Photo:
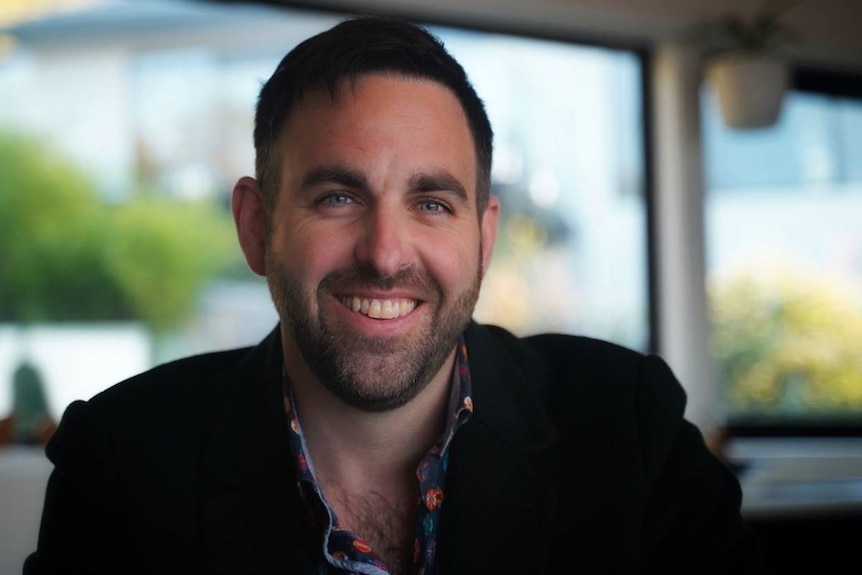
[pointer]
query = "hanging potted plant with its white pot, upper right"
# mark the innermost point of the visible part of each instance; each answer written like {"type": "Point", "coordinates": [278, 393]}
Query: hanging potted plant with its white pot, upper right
{"type": "Point", "coordinates": [746, 68]}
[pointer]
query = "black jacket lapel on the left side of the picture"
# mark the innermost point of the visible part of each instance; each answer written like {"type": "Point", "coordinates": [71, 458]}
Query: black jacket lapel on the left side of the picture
{"type": "Point", "coordinates": [250, 510]}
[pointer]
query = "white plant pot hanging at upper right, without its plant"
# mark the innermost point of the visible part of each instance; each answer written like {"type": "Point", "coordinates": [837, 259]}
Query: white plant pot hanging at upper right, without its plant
{"type": "Point", "coordinates": [750, 88]}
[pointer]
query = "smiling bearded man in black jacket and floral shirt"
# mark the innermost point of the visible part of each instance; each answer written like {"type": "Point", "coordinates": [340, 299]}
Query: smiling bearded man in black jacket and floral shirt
{"type": "Point", "coordinates": [378, 429]}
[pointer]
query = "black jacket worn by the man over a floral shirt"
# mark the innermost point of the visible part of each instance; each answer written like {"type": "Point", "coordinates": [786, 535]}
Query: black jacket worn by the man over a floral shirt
{"type": "Point", "coordinates": [577, 460]}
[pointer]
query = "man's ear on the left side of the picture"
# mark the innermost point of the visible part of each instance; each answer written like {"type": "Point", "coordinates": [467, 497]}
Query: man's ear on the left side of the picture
{"type": "Point", "coordinates": [249, 215]}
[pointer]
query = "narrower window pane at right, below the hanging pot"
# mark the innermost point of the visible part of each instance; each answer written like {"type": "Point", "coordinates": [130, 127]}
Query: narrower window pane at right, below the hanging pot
{"type": "Point", "coordinates": [784, 244]}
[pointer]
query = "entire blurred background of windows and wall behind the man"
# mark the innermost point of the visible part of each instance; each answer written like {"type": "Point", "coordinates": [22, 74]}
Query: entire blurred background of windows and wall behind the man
{"type": "Point", "coordinates": [649, 198]}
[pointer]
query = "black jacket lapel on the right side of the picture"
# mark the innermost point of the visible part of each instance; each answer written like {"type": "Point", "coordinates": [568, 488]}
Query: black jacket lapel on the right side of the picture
{"type": "Point", "coordinates": [501, 490]}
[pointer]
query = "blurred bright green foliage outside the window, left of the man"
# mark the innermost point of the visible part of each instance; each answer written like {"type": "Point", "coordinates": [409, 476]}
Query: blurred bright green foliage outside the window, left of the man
{"type": "Point", "coordinates": [67, 256]}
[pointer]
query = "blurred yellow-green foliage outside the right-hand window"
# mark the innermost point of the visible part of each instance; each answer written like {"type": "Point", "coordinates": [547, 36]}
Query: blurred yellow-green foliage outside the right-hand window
{"type": "Point", "coordinates": [787, 341]}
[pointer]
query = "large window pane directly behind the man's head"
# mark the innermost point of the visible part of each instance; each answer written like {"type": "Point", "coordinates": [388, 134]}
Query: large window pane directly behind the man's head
{"type": "Point", "coordinates": [131, 122]}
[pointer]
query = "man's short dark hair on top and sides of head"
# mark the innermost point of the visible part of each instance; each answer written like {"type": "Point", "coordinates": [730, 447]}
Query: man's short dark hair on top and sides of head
{"type": "Point", "coordinates": [353, 48]}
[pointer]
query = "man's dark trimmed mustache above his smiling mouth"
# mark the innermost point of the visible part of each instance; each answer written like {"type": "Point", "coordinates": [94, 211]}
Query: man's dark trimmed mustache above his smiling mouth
{"type": "Point", "coordinates": [364, 276]}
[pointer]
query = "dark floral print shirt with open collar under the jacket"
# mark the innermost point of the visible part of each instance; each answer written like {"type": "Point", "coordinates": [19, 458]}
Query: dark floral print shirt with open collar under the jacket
{"type": "Point", "coordinates": [345, 552]}
